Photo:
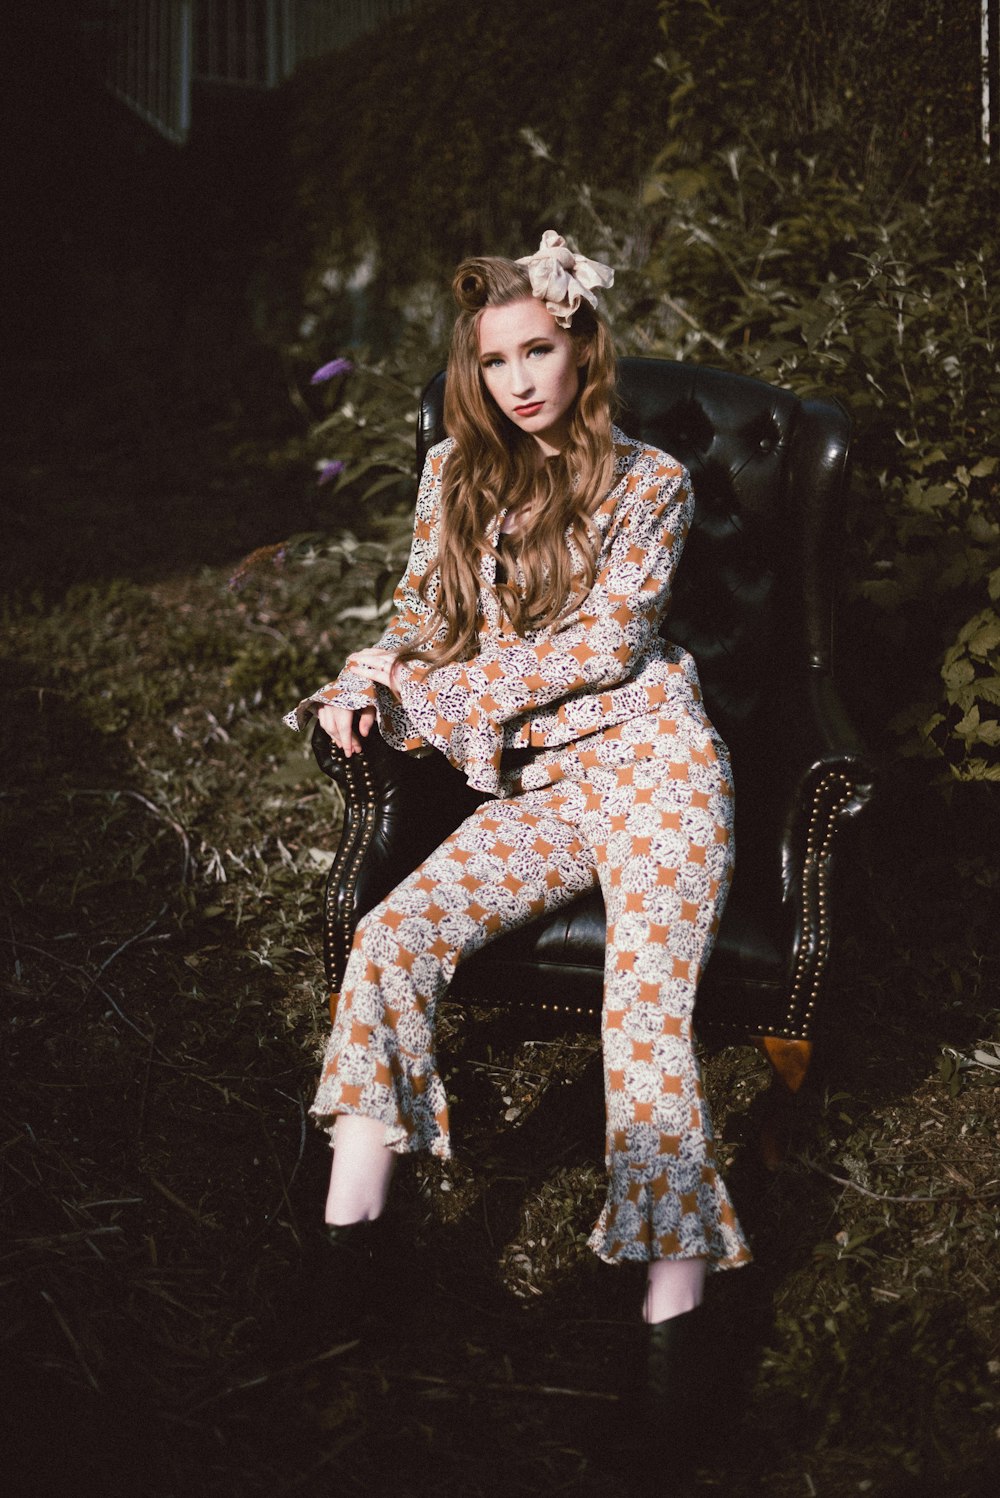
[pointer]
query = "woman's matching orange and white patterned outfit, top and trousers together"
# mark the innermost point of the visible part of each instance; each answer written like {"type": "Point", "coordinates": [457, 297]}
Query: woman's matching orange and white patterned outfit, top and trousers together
{"type": "Point", "coordinates": [629, 787]}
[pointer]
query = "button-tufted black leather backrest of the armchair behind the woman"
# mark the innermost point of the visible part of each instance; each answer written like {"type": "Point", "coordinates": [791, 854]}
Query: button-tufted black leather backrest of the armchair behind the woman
{"type": "Point", "coordinates": [752, 598]}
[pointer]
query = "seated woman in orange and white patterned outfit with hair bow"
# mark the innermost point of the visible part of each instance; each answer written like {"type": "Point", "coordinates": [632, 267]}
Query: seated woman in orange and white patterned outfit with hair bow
{"type": "Point", "coordinates": [526, 648]}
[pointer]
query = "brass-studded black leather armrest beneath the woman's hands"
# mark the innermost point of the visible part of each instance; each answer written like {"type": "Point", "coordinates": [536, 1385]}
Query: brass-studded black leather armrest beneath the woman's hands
{"type": "Point", "coordinates": [397, 810]}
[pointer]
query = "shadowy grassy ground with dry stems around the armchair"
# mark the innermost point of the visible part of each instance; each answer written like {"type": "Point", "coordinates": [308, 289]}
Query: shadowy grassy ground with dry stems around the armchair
{"type": "Point", "coordinates": [164, 847]}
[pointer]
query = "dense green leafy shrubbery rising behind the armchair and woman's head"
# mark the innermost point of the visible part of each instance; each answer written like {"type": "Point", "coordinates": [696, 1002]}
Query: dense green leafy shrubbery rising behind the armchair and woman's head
{"type": "Point", "coordinates": [805, 203]}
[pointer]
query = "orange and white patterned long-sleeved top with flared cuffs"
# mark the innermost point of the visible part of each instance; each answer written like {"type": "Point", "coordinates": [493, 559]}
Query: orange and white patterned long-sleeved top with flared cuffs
{"type": "Point", "coordinates": [603, 664]}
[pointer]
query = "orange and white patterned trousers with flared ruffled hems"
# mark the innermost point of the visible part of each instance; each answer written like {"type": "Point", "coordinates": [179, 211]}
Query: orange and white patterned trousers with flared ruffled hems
{"type": "Point", "coordinates": [646, 811]}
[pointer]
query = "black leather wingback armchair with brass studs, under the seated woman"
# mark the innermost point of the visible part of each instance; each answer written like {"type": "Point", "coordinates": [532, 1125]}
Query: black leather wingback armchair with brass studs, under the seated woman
{"type": "Point", "coordinates": [754, 604]}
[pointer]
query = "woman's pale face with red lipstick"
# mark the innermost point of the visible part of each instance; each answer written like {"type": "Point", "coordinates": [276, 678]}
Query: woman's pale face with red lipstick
{"type": "Point", "coordinates": [531, 366]}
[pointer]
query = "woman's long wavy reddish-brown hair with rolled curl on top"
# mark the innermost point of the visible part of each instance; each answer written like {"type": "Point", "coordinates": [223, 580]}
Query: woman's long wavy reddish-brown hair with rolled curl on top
{"type": "Point", "coordinates": [496, 465]}
